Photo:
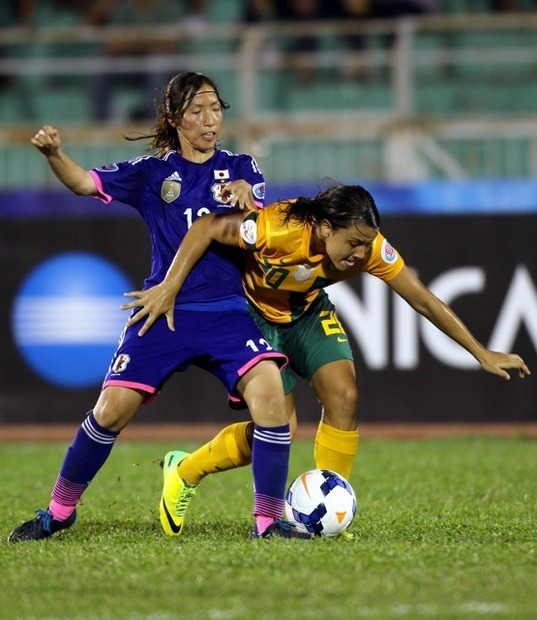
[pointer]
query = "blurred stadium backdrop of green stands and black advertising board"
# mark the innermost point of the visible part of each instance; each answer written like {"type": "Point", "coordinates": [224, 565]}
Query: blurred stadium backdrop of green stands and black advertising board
{"type": "Point", "coordinates": [436, 114]}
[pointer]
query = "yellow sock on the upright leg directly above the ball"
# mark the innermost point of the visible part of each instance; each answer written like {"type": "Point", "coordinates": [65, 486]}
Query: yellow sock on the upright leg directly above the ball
{"type": "Point", "coordinates": [335, 449]}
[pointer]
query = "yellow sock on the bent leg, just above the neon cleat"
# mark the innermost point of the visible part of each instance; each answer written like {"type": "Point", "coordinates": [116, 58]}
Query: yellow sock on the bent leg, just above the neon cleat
{"type": "Point", "coordinates": [228, 450]}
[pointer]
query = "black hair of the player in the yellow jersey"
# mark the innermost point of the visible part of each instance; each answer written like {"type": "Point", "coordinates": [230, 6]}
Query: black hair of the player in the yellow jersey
{"type": "Point", "coordinates": [341, 205]}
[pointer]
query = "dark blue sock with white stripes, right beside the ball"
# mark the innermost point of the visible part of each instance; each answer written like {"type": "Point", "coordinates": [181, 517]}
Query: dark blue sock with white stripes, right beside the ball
{"type": "Point", "coordinates": [270, 465]}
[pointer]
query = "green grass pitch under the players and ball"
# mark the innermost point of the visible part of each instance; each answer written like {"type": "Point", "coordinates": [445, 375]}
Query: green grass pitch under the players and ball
{"type": "Point", "coordinates": [445, 529]}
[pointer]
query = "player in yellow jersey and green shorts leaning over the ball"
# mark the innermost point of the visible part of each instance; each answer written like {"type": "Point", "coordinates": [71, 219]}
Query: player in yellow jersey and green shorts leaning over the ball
{"type": "Point", "coordinates": [292, 250]}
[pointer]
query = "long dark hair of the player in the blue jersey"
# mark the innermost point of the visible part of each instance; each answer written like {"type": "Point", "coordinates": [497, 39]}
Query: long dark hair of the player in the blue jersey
{"type": "Point", "coordinates": [174, 101]}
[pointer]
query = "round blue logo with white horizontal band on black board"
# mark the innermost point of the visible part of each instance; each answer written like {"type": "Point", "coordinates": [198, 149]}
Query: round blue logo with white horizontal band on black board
{"type": "Point", "coordinates": [66, 319]}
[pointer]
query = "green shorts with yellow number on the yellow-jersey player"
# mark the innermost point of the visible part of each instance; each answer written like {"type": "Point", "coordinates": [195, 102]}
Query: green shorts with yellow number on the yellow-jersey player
{"type": "Point", "coordinates": [315, 339]}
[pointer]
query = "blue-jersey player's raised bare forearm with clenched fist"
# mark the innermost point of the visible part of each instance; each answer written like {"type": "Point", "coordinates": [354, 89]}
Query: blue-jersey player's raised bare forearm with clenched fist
{"type": "Point", "coordinates": [47, 141]}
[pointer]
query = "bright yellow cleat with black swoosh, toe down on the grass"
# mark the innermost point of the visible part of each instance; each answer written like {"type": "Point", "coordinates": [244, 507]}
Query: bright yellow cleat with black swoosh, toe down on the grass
{"type": "Point", "coordinates": [176, 495]}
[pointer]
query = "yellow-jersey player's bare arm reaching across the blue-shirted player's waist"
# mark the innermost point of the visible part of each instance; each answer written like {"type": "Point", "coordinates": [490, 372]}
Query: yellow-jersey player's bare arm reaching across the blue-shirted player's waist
{"type": "Point", "coordinates": [160, 299]}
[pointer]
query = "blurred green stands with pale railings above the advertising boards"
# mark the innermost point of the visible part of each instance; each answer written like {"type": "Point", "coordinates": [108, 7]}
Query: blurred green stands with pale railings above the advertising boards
{"type": "Point", "coordinates": [436, 97]}
